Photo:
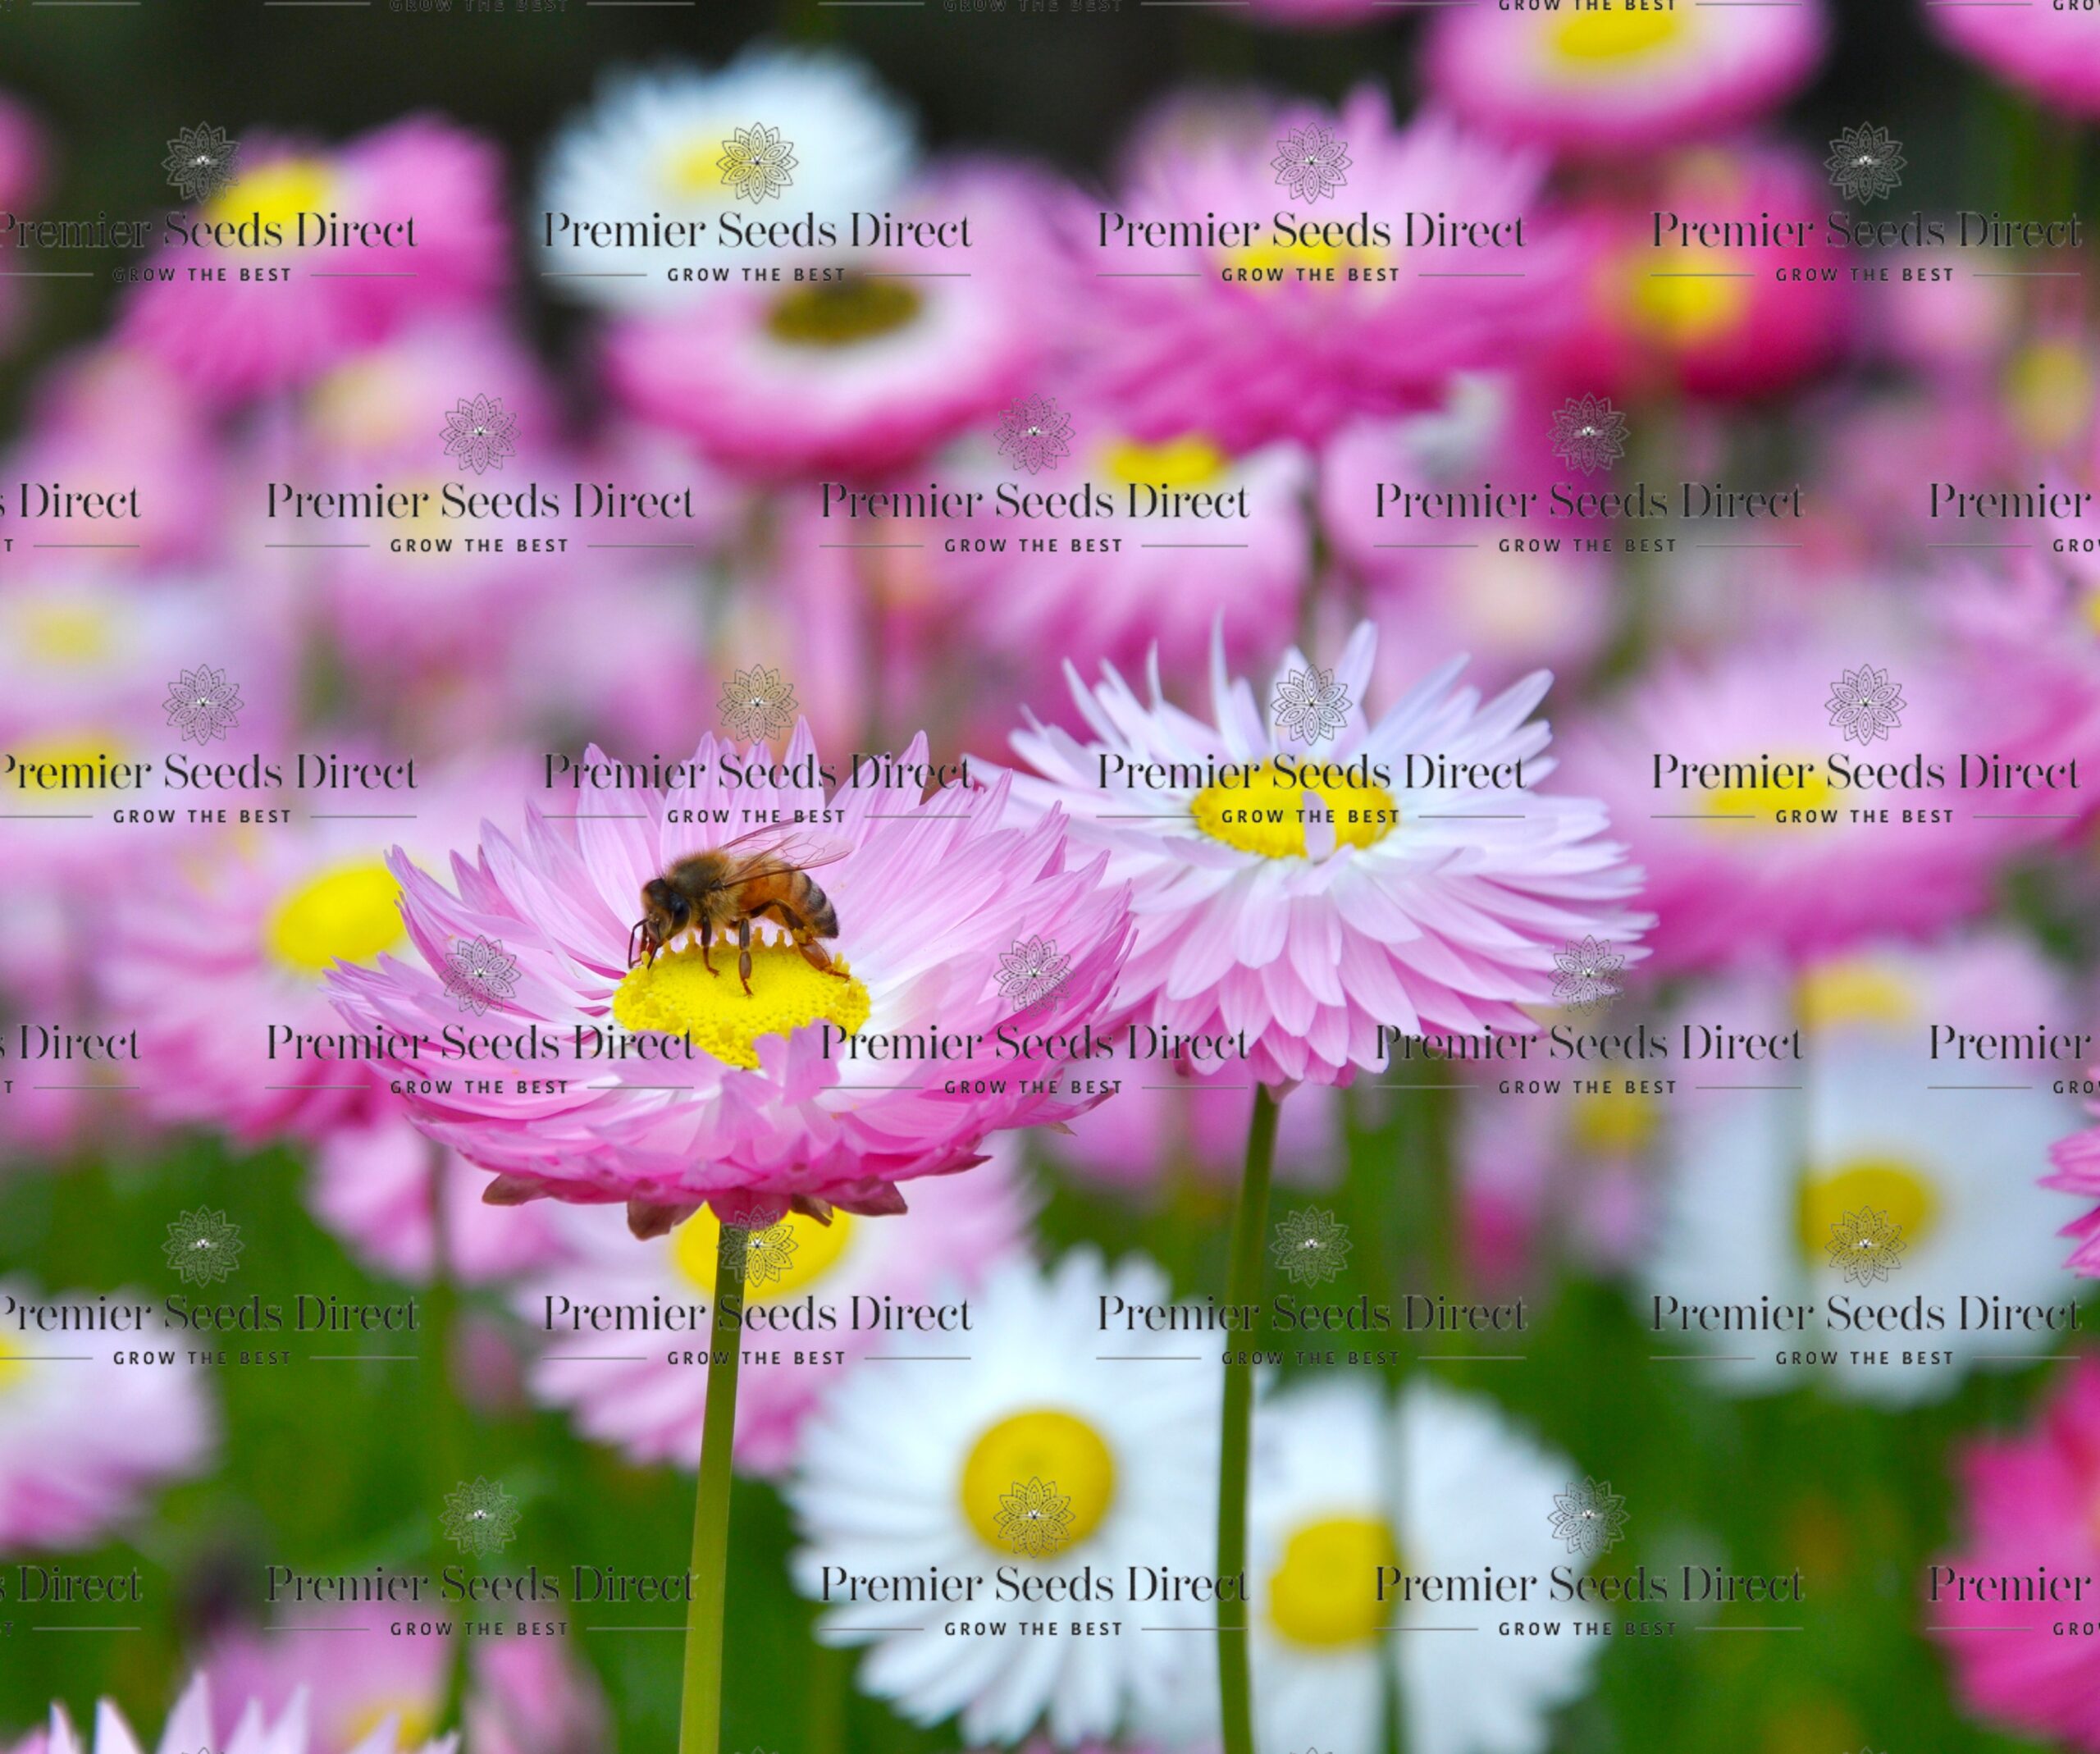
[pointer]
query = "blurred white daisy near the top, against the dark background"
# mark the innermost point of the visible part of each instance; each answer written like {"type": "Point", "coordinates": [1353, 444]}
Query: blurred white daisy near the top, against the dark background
{"type": "Point", "coordinates": [650, 152]}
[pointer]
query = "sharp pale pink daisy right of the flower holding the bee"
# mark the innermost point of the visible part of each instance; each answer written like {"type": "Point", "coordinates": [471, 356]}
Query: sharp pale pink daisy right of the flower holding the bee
{"type": "Point", "coordinates": [1316, 913]}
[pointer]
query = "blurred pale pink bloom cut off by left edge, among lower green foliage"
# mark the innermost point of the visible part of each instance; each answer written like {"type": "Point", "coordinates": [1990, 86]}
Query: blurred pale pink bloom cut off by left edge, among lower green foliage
{"type": "Point", "coordinates": [85, 1442]}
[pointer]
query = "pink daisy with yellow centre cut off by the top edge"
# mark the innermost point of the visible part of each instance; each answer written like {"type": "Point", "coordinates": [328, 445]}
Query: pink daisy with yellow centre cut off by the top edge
{"type": "Point", "coordinates": [1601, 85]}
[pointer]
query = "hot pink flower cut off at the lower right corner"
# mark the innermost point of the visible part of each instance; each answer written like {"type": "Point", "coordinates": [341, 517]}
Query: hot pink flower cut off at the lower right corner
{"type": "Point", "coordinates": [2030, 1505]}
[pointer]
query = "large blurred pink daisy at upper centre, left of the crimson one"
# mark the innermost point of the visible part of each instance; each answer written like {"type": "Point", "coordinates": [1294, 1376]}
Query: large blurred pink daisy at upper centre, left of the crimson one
{"type": "Point", "coordinates": [1295, 358]}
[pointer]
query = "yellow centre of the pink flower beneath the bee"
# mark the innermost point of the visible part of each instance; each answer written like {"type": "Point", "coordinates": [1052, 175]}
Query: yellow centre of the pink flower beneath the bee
{"type": "Point", "coordinates": [679, 997]}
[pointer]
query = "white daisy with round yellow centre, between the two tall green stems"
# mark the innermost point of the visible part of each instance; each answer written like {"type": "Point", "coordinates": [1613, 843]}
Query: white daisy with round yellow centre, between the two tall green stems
{"type": "Point", "coordinates": [959, 1467]}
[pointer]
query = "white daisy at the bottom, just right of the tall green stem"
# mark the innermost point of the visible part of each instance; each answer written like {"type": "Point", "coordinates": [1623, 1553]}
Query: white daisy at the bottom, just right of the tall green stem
{"type": "Point", "coordinates": [1444, 1484]}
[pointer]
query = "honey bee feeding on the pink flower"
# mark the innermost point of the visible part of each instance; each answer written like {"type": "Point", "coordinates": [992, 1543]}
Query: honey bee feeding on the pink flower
{"type": "Point", "coordinates": [728, 888]}
